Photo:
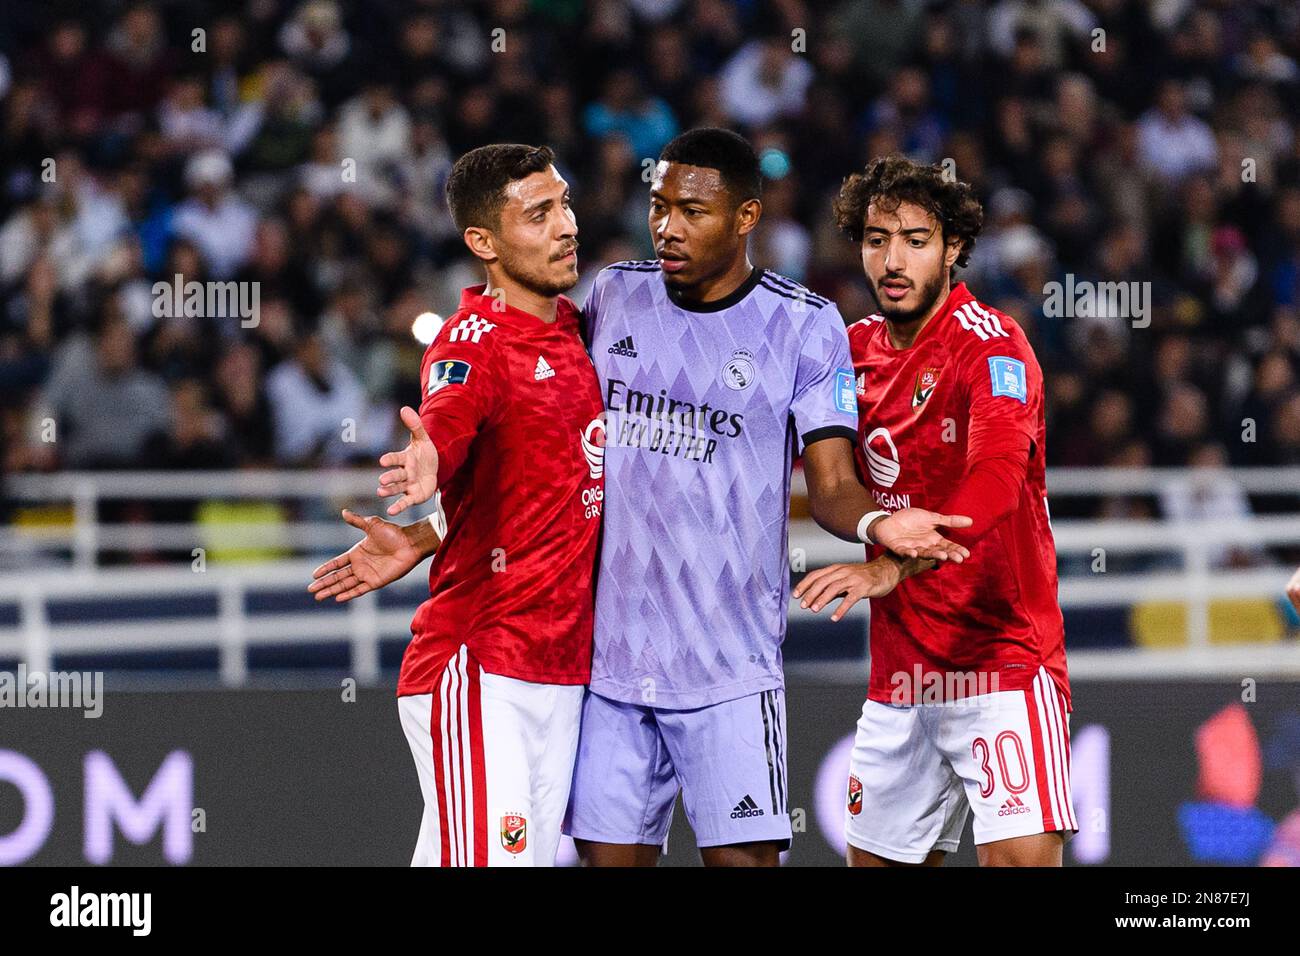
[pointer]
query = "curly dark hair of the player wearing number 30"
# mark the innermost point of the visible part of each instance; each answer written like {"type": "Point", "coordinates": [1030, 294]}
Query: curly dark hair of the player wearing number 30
{"type": "Point", "coordinates": [891, 181]}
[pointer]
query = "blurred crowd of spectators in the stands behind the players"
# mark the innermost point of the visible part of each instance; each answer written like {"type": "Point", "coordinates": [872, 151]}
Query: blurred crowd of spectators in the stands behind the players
{"type": "Point", "coordinates": [304, 146]}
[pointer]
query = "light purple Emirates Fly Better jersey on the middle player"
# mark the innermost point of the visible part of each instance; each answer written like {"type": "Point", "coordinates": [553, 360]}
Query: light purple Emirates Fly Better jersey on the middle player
{"type": "Point", "coordinates": [704, 410]}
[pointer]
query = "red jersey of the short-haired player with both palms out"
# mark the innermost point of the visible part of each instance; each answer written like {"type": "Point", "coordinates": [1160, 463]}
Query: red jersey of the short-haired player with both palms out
{"type": "Point", "coordinates": [514, 408]}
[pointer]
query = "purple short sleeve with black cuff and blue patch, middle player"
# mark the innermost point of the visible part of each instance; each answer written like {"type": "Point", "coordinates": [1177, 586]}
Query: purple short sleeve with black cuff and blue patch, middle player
{"type": "Point", "coordinates": [826, 401]}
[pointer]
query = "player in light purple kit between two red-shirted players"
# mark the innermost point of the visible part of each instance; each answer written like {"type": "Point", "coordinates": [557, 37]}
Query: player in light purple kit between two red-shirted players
{"type": "Point", "coordinates": [714, 375]}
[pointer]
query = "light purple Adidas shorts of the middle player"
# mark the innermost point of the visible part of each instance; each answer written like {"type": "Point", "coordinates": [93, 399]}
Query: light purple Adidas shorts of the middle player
{"type": "Point", "coordinates": [727, 760]}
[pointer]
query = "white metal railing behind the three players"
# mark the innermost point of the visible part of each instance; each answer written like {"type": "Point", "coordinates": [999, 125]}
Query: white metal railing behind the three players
{"type": "Point", "coordinates": [363, 624]}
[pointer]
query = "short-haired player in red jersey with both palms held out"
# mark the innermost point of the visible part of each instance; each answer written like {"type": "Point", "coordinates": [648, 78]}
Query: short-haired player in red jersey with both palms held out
{"type": "Point", "coordinates": [510, 435]}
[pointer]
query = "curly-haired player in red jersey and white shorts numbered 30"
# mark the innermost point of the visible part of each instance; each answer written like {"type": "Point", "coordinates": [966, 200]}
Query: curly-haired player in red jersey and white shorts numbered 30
{"type": "Point", "coordinates": [969, 700]}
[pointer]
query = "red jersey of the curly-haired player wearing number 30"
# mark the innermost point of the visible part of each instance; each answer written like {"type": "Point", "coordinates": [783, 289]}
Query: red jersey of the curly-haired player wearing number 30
{"type": "Point", "coordinates": [956, 425]}
